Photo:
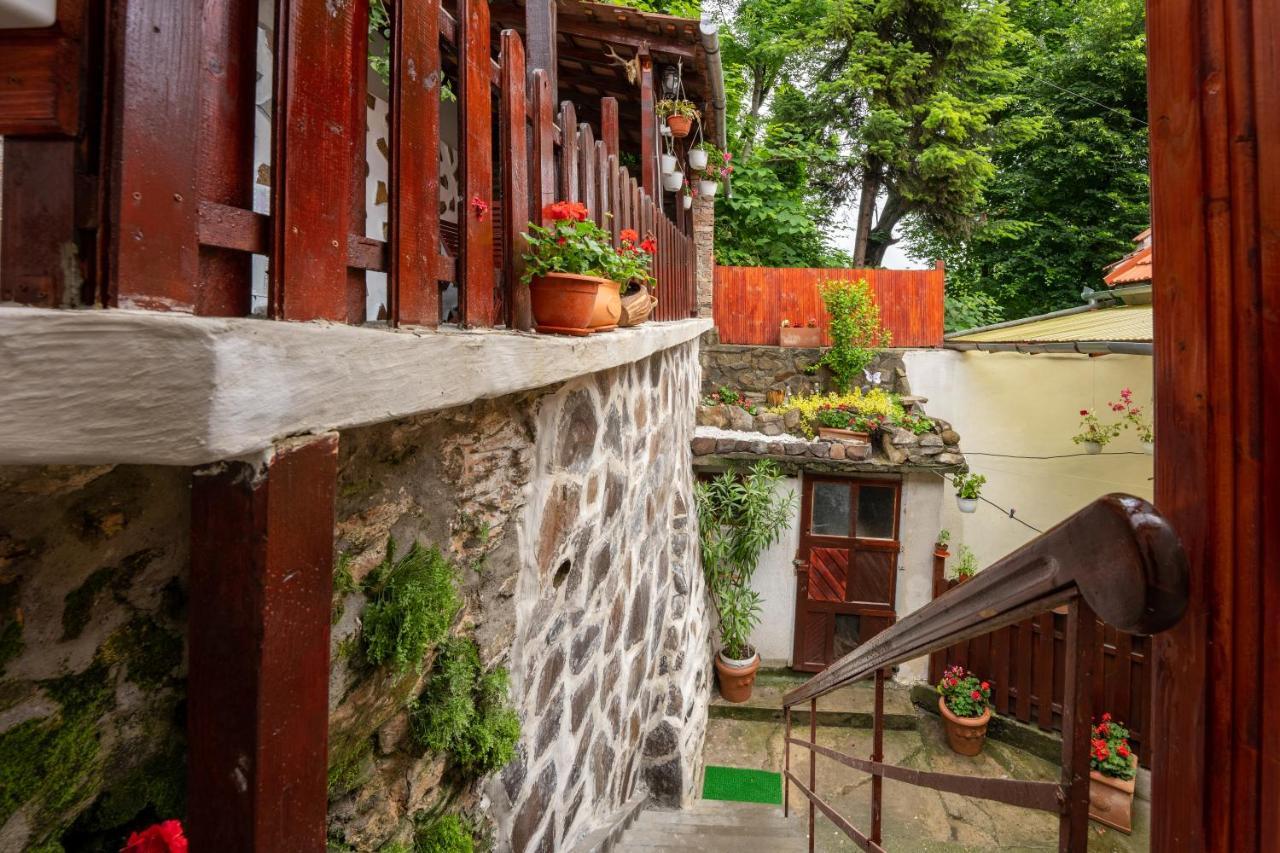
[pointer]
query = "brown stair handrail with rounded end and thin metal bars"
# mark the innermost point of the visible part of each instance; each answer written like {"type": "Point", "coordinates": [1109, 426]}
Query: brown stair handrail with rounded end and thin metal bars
{"type": "Point", "coordinates": [1117, 560]}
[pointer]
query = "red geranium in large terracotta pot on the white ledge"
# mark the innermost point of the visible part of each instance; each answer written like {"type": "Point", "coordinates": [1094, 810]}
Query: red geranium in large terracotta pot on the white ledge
{"type": "Point", "coordinates": [575, 275]}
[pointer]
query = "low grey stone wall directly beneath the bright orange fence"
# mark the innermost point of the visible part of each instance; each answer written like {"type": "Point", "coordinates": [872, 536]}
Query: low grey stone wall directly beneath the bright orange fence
{"type": "Point", "coordinates": [756, 370]}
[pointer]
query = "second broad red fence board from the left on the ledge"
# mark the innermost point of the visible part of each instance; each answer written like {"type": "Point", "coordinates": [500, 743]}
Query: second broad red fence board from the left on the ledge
{"type": "Point", "coordinates": [313, 165]}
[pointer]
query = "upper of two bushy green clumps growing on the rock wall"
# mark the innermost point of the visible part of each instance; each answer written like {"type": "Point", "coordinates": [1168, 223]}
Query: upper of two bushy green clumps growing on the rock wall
{"type": "Point", "coordinates": [413, 608]}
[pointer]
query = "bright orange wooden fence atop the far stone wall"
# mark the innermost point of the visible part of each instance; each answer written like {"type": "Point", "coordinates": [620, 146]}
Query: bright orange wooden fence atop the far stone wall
{"type": "Point", "coordinates": [752, 302]}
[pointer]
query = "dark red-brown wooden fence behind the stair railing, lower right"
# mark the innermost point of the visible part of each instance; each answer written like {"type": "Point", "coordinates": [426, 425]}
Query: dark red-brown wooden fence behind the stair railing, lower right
{"type": "Point", "coordinates": [1027, 665]}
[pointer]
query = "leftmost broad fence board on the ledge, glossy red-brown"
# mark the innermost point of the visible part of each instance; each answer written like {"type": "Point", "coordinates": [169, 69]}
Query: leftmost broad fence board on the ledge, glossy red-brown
{"type": "Point", "coordinates": [154, 207]}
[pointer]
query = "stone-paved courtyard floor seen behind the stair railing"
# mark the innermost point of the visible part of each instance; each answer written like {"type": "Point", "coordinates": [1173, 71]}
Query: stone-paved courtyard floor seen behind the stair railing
{"type": "Point", "coordinates": [915, 819]}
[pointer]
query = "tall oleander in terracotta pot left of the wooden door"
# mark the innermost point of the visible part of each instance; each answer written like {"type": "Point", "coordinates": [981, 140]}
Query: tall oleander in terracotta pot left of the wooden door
{"type": "Point", "coordinates": [740, 514]}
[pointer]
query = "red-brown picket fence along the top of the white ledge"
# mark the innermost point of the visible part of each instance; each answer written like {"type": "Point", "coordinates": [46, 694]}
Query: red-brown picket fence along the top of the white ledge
{"type": "Point", "coordinates": [175, 172]}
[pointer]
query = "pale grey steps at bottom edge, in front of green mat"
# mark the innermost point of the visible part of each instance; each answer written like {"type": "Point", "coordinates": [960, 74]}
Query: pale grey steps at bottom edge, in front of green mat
{"type": "Point", "coordinates": [716, 827]}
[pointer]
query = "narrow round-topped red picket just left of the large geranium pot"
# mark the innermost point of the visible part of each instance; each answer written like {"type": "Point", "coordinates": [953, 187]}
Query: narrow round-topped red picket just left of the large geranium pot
{"type": "Point", "coordinates": [515, 179]}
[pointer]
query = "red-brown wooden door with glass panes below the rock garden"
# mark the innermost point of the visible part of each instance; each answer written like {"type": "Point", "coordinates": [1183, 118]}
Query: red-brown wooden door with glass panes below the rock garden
{"type": "Point", "coordinates": [847, 569]}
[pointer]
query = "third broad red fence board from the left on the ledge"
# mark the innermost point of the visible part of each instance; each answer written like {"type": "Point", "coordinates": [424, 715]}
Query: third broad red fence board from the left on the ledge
{"type": "Point", "coordinates": [415, 180]}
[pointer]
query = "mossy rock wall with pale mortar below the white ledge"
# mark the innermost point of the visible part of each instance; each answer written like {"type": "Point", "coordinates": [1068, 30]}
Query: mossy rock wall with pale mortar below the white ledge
{"type": "Point", "coordinates": [520, 631]}
